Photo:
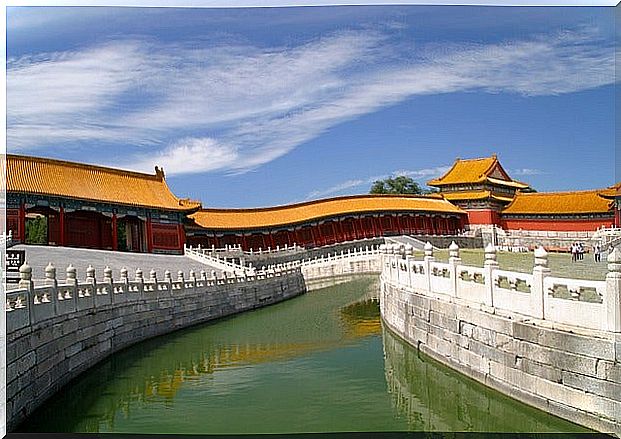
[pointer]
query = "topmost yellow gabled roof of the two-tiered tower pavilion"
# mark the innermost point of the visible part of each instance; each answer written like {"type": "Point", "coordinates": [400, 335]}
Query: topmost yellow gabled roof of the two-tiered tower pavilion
{"type": "Point", "coordinates": [475, 171]}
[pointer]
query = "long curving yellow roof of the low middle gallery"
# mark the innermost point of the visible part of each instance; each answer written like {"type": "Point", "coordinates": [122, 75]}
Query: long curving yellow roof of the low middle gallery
{"type": "Point", "coordinates": [235, 219]}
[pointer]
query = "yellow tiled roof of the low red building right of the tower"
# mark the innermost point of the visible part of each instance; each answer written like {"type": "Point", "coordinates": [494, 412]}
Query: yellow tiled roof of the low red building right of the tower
{"type": "Point", "coordinates": [558, 203]}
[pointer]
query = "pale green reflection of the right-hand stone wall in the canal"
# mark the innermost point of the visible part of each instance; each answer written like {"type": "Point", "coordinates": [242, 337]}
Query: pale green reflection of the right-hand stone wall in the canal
{"type": "Point", "coordinates": [433, 397]}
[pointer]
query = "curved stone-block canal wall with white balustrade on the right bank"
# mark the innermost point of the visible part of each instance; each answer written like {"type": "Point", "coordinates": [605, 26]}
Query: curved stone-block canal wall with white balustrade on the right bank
{"type": "Point", "coordinates": [511, 335]}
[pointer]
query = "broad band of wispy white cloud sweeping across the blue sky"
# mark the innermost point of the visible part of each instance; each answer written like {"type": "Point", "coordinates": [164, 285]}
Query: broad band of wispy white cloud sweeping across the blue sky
{"type": "Point", "coordinates": [197, 107]}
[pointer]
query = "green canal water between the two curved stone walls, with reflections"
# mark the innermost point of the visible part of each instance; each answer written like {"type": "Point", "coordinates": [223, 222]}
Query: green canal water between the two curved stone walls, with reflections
{"type": "Point", "coordinates": [320, 362]}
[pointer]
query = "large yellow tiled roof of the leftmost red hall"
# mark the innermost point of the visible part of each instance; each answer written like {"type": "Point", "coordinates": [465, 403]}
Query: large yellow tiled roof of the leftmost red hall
{"type": "Point", "coordinates": [88, 182]}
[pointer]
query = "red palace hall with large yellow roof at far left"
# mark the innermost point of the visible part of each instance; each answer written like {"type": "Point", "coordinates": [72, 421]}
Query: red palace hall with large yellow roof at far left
{"type": "Point", "coordinates": [93, 206]}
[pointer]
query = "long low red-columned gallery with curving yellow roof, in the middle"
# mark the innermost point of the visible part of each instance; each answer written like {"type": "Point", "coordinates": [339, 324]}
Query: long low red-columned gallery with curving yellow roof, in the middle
{"type": "Point", "coordinates": [324, 222]}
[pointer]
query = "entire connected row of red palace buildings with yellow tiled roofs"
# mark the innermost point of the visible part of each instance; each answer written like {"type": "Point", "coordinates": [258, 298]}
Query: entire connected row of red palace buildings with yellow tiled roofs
{"type": "Point", "coordinates": [57, 202]}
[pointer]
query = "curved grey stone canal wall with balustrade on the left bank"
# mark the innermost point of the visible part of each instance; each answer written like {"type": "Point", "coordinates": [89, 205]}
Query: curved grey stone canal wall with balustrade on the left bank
{"type": "Point", "coordinates": [58, 331]}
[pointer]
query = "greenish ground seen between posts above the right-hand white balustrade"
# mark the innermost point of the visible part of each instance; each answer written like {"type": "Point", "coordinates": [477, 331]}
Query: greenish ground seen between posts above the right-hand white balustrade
{"type": "Point", "coordinates": [559, 263]}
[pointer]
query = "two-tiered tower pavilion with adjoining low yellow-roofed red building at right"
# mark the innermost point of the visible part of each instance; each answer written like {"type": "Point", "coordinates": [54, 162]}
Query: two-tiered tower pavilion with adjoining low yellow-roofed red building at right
{"type": "Point", "coordinates": [491, 197]}
